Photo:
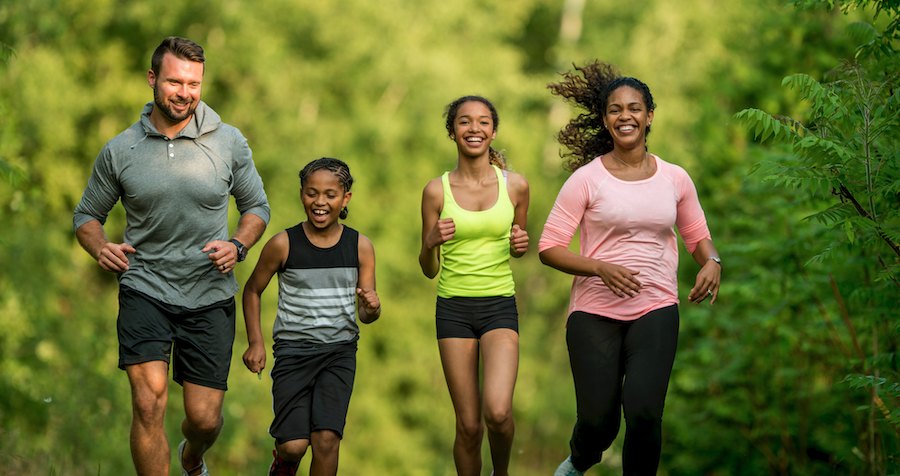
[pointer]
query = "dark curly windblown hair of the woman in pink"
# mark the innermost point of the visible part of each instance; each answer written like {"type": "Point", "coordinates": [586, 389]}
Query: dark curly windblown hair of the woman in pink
{"type": "Point", "coordinates": [585, 136]}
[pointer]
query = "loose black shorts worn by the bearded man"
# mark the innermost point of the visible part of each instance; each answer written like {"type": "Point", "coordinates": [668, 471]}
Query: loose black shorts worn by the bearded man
{"type": "Point", "coordinates": [203, 337]}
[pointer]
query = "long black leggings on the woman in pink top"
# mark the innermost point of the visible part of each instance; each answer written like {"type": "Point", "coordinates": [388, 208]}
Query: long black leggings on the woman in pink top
{"type": "Point", "coordinates": [604, 352]}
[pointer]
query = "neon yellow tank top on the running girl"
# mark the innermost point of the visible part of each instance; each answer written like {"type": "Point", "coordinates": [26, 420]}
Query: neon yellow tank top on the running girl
{"type": "Point", "coordinates": [475, 263]}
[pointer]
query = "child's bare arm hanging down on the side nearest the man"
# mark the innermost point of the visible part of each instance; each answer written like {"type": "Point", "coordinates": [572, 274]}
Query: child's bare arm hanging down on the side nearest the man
{"type": "Point", "coordinates": [270, 261]}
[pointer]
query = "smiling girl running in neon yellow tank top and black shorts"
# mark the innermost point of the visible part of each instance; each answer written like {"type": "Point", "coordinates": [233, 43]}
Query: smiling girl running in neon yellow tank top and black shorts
{"type": "Point", "coordinates": [473, 220]}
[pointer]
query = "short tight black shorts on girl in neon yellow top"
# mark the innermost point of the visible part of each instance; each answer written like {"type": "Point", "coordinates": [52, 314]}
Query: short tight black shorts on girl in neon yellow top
{"type": "Point", "coordinates": [472, 317]}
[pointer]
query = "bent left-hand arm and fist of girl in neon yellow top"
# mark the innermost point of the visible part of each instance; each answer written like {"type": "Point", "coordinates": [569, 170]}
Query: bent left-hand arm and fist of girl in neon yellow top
{"type": "Point", "coordinates": [435, 231]}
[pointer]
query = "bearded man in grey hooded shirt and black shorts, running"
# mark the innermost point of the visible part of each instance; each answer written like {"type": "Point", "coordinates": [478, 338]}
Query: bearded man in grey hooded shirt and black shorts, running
{"type": "Point", "coordinates": [173, 171]}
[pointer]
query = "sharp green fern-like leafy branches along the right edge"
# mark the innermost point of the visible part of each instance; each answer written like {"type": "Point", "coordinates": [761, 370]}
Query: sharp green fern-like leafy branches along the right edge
{"type": "Point", "coordinates": [842, 161]}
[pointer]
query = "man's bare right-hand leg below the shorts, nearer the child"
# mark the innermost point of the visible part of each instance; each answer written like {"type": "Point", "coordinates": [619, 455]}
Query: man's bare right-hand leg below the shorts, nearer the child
{"type": "Point", "coordinates": [202, 423]}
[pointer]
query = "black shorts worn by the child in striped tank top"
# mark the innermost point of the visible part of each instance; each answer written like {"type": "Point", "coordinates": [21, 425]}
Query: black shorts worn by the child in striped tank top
{"type": "Point", "coordinates": [312, 393]}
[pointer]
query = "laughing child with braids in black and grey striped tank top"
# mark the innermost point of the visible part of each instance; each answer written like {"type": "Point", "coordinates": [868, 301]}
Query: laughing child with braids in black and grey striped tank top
{"type": "Point", "coordinates": [326, 274]}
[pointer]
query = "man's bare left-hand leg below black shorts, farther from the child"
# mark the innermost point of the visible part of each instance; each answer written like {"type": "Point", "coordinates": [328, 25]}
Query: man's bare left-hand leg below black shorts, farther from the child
{"type": "Point", "coordinates": [149, 393]}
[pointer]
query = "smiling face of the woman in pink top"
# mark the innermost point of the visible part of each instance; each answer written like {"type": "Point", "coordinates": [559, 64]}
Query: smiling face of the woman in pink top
{"type": "Point", "coordinates": [627, 117]}
